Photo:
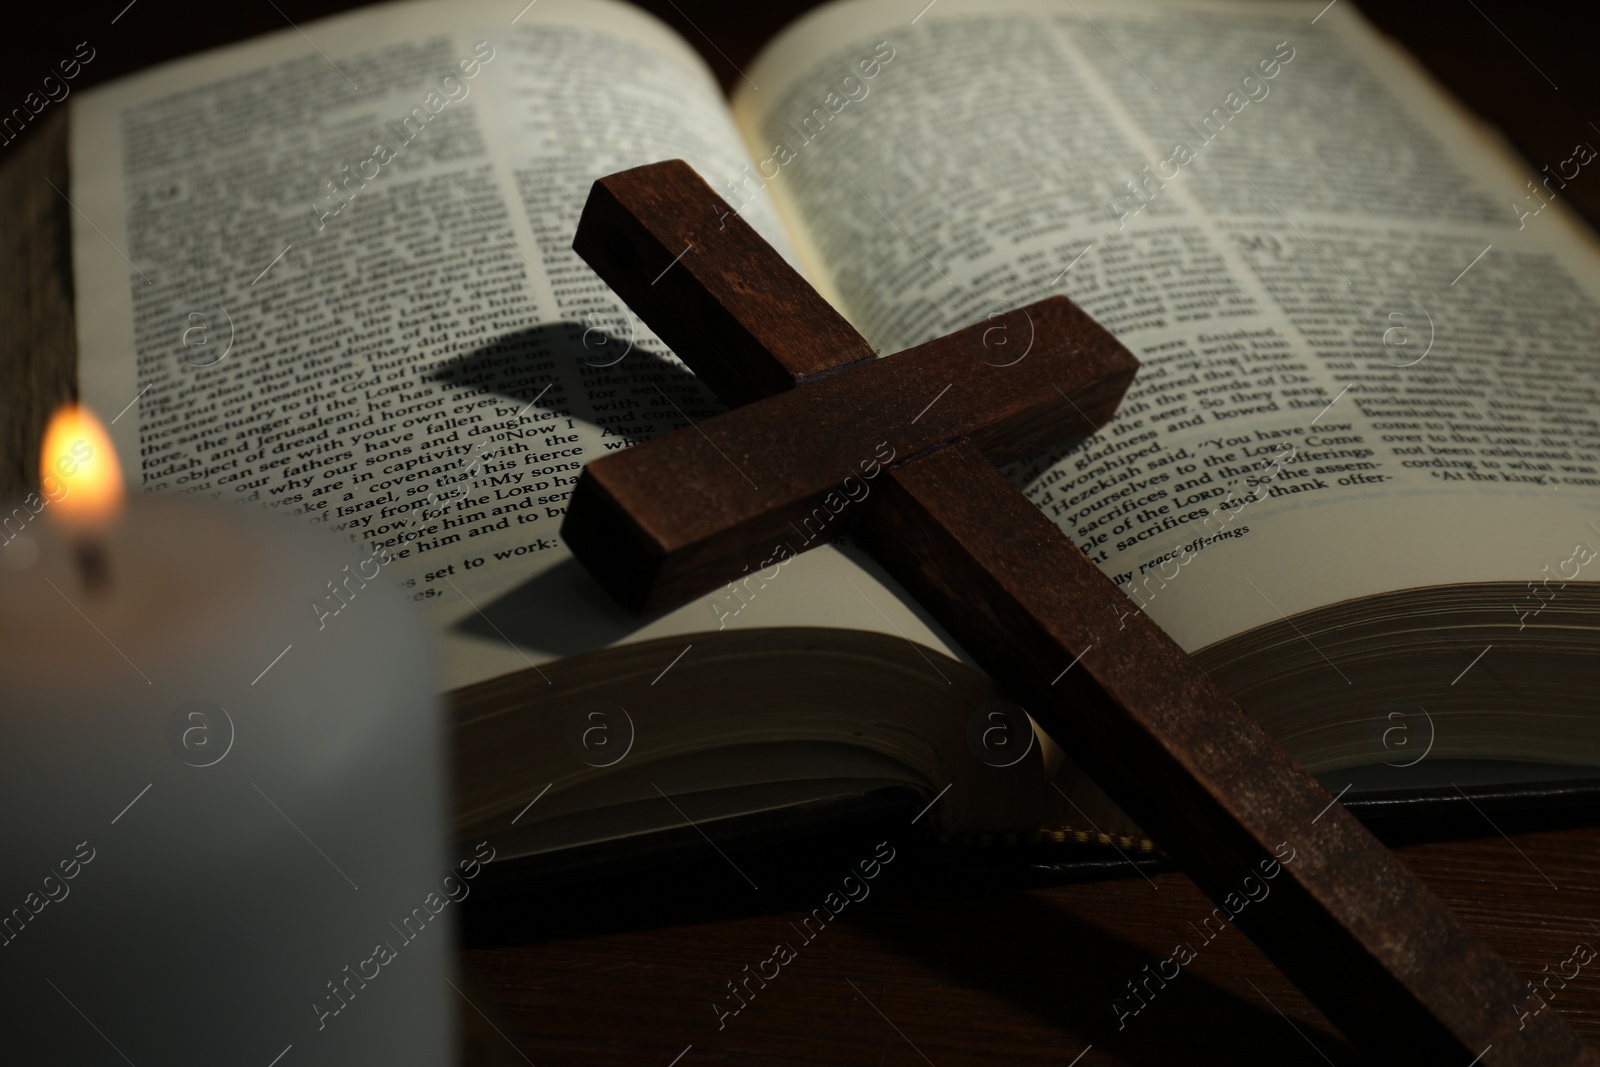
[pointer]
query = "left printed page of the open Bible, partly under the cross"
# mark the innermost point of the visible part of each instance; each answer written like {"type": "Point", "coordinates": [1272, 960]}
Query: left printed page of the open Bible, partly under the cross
{"type": "Point", "coordinates": [330, 273]}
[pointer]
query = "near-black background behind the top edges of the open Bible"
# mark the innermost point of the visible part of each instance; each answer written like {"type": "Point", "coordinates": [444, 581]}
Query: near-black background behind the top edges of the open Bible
{"type": "Point", "coordinates": [1502, 79]}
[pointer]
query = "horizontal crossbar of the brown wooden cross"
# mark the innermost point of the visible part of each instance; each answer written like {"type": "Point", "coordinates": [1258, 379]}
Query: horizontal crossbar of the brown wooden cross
{"type": "Point", "coordinates": [687, 513]}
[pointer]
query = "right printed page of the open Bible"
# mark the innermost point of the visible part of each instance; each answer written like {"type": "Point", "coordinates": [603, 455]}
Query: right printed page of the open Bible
{"type": "Point", "coordinates": [1366, 330]}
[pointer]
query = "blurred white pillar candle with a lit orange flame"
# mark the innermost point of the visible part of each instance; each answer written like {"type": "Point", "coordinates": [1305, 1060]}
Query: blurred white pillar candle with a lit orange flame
{"type": "Point", "coordinates": [222, 786]}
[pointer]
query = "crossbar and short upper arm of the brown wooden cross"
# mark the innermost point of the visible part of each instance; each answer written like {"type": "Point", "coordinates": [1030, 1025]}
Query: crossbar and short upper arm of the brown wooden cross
{"type": "Point", "coordinates": [687, 513]}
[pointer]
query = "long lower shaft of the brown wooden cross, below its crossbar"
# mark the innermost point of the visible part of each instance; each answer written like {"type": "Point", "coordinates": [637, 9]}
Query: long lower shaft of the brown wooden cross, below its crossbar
{"type": "Point", "coordinates": [1358, 932]}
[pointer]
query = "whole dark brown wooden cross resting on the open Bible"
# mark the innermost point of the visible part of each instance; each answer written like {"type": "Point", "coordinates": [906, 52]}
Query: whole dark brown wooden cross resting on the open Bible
{"type": "Point", "coordinates": [686, 513]}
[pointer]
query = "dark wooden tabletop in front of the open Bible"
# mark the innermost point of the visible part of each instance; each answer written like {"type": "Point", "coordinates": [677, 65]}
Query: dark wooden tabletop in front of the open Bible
{"type": "Point", "coordinates": [1018, 978]}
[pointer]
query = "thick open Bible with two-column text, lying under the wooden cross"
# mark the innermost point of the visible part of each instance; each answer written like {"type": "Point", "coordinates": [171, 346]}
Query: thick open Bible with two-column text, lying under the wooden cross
{"type": "Point", "coordinates": [1358, 476]}
